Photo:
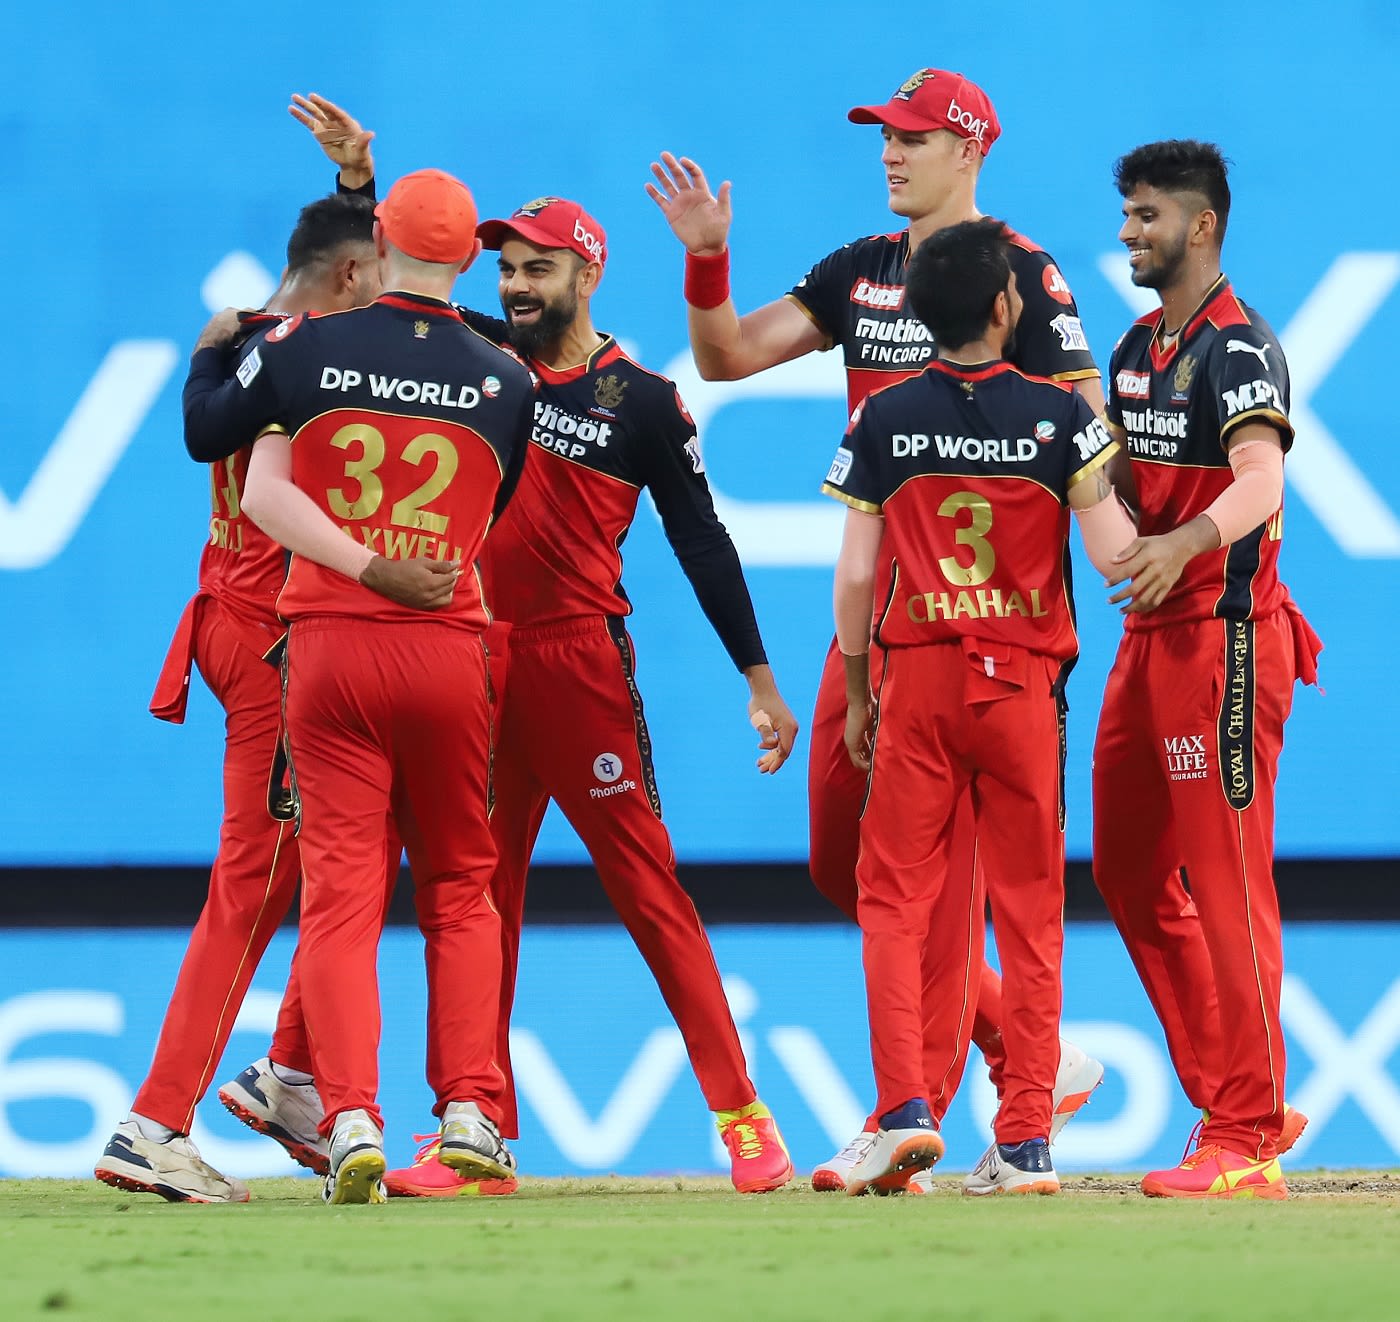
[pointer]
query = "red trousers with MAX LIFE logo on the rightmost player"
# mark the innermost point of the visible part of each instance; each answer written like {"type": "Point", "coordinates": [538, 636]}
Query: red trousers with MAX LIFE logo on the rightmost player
{"type": "Point", "coordinates": [1185, 765]}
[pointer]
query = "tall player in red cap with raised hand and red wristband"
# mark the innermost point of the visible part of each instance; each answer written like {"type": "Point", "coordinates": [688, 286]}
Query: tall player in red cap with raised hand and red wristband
{"type": "Point", "coordinates": [937, 128]}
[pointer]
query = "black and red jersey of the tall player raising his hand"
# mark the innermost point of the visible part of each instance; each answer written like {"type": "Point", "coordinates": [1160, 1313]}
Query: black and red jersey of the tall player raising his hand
{"type": "Point", "coordinates": [856, 298]}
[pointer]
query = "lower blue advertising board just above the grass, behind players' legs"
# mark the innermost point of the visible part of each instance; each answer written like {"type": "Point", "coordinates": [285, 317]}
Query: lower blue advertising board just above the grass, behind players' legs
{"type": "Point", "coordinates": [603, 1072]}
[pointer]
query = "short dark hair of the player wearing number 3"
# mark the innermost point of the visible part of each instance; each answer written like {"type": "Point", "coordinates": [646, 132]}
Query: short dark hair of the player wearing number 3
{"type": "Point", "coordinates": [955, 278]}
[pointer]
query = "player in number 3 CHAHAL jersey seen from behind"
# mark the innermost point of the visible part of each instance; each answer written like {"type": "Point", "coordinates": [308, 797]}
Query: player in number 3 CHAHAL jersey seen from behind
{"type": "Point", "coordinates": [962, 480]}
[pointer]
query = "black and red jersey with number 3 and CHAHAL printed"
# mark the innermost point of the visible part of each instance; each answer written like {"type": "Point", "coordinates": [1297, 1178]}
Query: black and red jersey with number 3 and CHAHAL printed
{"type": "Point", "coordinates": [971, 468]}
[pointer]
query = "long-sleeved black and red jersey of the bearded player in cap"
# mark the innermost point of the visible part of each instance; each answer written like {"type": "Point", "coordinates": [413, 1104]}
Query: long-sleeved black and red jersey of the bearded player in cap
{"type": "Point", "coordinates": [603, 432]}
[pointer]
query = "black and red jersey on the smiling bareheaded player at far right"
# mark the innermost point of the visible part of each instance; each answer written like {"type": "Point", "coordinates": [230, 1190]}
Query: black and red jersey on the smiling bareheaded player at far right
{"type": "Point", "coordinates": [1178, 407]}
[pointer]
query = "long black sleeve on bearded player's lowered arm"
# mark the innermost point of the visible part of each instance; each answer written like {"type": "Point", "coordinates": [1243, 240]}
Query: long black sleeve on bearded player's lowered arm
{"type": "Point", "coordinates": [674, 474]}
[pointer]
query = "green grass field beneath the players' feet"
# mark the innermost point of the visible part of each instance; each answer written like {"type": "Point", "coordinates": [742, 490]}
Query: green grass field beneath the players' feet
{"type": "Point", "coordinates": [692, 1250]}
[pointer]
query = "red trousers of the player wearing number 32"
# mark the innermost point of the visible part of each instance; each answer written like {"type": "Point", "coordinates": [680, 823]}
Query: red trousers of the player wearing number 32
{"type": "Point", "coordinates": [393, 719]}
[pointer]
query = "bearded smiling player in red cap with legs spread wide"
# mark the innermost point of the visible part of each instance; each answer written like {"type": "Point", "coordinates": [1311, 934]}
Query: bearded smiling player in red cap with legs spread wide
{"type": "Point", "coordinates": [572, 726]}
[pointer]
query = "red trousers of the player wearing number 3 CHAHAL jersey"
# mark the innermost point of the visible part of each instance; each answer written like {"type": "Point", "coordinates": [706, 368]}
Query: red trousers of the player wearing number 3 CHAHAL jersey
{"type": "Point", "coordinates": [948, 729]}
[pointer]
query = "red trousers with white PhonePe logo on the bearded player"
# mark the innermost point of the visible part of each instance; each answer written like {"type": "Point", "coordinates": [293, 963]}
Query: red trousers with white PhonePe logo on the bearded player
{"type": "Point", "coordinates": [572, 729]}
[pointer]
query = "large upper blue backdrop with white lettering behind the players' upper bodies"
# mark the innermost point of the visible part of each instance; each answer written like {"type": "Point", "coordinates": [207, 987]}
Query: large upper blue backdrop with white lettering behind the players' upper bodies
{"type": "Point", "coordinates": [153, 174]}
